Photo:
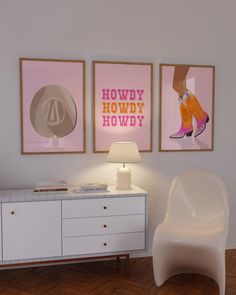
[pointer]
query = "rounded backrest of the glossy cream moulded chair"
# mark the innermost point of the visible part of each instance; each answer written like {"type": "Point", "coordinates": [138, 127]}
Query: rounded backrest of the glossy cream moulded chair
{"type": "Point", "coordinates": [198, 198]}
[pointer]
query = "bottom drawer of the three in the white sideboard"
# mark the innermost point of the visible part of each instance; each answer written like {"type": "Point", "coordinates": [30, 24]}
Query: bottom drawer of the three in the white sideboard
{"type": "Point", "coordinates": [103, 243]}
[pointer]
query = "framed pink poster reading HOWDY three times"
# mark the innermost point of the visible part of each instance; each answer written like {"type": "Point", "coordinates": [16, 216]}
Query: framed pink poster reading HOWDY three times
{"type": "Point", "coordinates": [122, 108]}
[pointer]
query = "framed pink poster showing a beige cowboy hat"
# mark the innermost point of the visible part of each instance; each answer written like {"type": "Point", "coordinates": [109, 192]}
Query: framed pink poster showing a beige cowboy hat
{"type": "Point", "coordinates": [52, 106]}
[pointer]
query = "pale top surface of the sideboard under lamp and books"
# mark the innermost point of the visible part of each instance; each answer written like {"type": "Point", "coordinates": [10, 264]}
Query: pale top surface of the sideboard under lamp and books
{"type": "Point", "coordinates": [27, 195]}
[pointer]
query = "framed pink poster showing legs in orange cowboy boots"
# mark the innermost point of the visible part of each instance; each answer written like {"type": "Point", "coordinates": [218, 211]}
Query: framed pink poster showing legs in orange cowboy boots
{"type": "Point", "coordinates": [186, 107]}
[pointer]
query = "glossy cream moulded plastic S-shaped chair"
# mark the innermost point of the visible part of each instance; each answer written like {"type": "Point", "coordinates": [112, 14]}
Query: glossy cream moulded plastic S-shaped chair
{"type": "Point", "coordinates": [192, 237]}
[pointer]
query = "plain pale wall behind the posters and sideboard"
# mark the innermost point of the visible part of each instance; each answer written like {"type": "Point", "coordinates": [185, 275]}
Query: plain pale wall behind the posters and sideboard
{"type": "Point", "coordinates": [169, 31]}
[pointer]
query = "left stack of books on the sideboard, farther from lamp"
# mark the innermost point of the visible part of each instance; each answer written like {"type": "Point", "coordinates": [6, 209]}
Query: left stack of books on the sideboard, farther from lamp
{"type": "Point", "coordinates": [51, 186]}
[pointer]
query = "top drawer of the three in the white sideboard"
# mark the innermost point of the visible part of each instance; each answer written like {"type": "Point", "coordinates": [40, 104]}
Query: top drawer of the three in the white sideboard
{"type": "Point", "coordinates": [103, 207]}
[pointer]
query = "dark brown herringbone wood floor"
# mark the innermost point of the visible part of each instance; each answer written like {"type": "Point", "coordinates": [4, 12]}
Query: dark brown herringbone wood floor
{"type": "Point", "coordinates": [102, 278]}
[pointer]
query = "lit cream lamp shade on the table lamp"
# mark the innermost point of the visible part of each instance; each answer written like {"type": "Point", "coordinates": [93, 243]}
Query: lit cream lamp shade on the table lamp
{"type": "Point", "coordinates": [123, 152]}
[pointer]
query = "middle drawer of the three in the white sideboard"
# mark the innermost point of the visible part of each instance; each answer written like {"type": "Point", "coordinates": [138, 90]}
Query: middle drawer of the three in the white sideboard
{"type": "Point", "coordinates": [103, 225]}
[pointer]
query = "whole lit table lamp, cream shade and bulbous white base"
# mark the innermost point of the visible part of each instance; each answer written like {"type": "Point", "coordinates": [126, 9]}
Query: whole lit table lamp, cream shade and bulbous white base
{"type": "Point", "coordinates": [123, 152]}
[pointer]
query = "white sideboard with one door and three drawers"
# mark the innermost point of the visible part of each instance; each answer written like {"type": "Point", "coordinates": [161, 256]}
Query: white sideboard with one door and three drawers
{"type": "Point", "coordinates": [44, 228]}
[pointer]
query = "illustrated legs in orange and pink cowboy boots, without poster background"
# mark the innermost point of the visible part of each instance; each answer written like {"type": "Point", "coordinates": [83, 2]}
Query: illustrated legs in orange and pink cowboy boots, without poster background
{"type": "Point", "coordinates": [189, 106]}
